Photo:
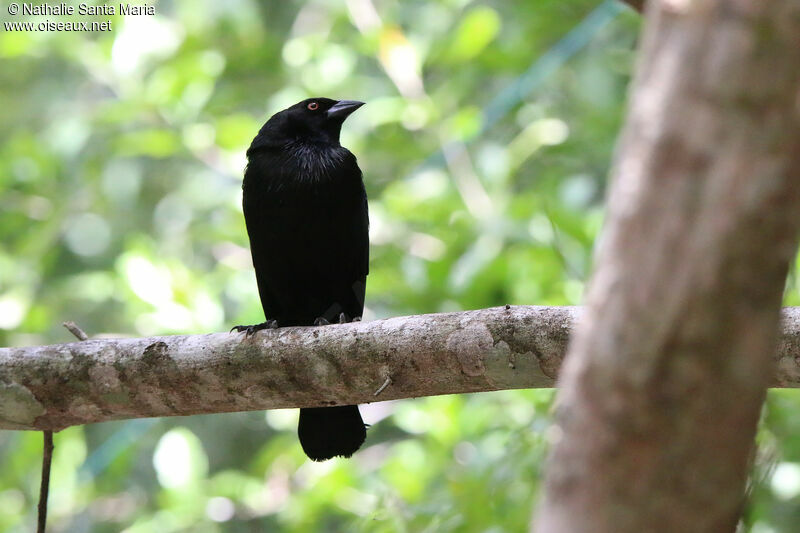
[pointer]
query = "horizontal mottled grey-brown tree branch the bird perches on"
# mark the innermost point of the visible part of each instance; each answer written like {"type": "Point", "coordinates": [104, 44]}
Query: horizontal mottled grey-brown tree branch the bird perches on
{"type": "Point", "coordinates": [53, 387]}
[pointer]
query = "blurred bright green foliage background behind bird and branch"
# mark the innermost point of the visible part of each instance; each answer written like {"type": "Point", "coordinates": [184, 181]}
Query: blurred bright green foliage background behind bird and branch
{"type": "Point", "coordinates": [485, 144]}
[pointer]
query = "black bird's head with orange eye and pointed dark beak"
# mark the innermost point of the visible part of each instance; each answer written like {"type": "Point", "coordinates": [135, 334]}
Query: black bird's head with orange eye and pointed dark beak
{"type": "Point", "coordinates": [316, 120]}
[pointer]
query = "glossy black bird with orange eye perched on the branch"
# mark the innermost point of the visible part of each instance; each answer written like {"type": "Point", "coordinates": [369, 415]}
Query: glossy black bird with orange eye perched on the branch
{"type": "Point", "coordinates": [305, 208]}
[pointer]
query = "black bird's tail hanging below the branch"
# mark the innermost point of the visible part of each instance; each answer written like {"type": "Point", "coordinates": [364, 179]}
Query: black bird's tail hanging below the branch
{"type": "Point", "coordinates": [327, 432]}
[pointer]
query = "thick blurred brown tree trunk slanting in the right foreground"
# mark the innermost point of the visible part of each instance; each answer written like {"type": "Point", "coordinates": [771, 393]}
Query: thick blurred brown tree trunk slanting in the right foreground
{"type": "Point", "coordinates": [667, 372]}
